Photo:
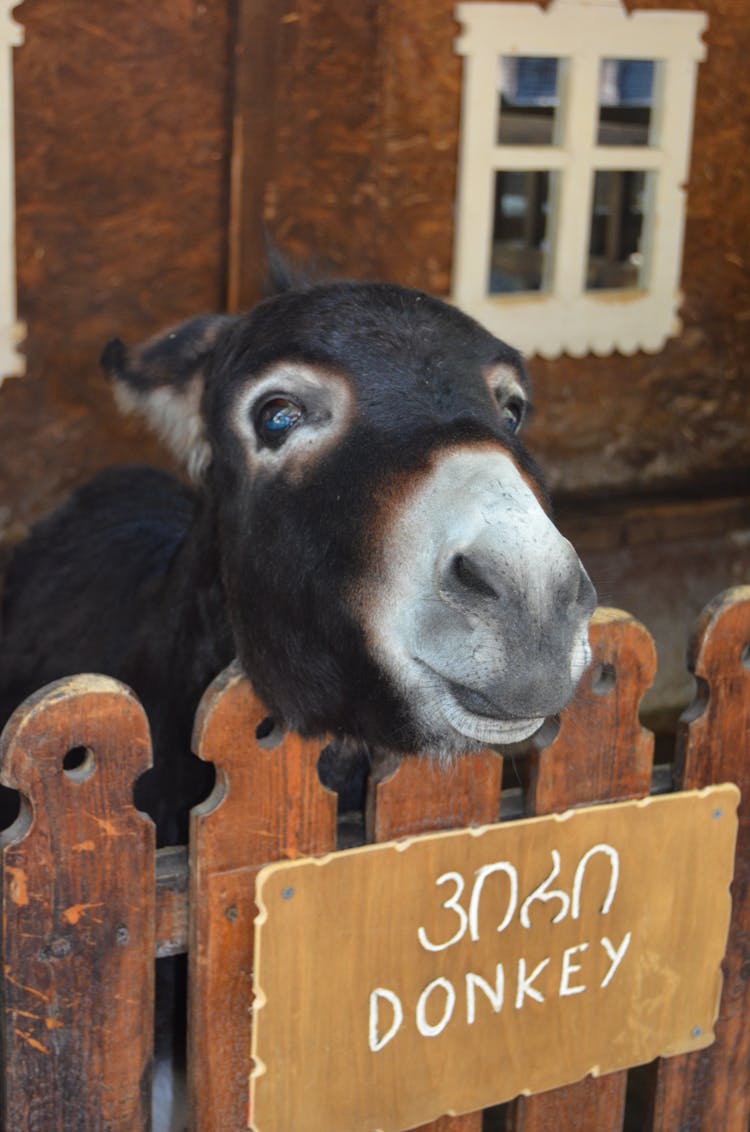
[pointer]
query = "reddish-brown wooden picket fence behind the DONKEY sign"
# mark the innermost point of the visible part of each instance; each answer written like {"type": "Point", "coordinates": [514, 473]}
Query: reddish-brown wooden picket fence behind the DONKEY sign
{"type": "Point", "coordinates": [88, 902]}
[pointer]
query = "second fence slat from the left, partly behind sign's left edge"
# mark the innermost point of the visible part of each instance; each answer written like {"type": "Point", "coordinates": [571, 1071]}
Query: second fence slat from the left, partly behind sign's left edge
{"type": "Point", "coordinates": [272, 807]}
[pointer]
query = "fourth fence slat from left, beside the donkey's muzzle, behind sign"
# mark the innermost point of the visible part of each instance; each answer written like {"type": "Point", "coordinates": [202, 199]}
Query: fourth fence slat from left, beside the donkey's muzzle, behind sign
{"type": "Point", "coordinates": [601, 753]}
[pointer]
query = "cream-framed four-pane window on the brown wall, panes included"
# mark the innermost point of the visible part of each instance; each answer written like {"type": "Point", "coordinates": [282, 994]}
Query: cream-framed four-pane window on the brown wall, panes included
{"type": "Point", "coordinates": [576, 126]}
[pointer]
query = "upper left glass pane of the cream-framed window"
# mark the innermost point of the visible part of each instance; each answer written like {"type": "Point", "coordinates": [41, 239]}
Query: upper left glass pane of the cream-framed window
{"type": "Point", "coordinates": [529, 100]}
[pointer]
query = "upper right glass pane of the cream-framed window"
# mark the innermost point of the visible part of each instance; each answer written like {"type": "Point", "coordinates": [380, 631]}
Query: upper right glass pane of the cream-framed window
{"type": "Point", "coordinates": [626, 97]}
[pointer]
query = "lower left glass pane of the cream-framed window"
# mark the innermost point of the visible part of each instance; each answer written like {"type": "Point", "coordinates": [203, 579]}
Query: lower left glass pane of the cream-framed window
{"type": "Point", "coordinates": [521, 231]}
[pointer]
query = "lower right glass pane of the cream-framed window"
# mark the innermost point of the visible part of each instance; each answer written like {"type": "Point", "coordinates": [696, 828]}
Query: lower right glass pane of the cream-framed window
{"type": "Point", "coordinates": [616, 259]}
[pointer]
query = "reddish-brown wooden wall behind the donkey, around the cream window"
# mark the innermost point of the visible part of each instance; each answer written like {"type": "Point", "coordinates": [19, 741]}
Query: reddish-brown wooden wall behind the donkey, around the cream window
{"type": "Point", "coordinates": [152, 142]}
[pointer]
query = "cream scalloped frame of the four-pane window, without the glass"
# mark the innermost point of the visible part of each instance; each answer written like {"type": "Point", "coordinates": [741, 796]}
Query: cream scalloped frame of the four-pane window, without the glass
{"type": "Point", "coordinates": [566, 318]}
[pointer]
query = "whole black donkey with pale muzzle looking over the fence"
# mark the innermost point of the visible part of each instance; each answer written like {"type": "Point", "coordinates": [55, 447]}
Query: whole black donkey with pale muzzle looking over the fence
{"type": "Point", "coordinates": [367, 534]}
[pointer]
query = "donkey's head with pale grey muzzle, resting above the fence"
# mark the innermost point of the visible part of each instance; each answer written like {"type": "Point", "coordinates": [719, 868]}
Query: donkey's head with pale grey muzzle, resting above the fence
{"type": "Point", "coordinates": [390, 567]}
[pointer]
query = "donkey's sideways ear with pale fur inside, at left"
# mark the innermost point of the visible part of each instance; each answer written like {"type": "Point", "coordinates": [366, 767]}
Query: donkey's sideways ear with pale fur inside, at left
{"type": "Point", "coordinates": [165, 380]}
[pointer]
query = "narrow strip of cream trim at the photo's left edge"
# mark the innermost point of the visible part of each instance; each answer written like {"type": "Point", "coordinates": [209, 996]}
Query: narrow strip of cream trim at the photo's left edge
{"type": "Point", "coordinates": [12, 332]}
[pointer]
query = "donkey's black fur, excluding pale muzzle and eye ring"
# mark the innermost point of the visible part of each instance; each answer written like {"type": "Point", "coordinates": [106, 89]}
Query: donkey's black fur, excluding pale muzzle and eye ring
{"type": "Point", "coordinates": [158, 586]}
